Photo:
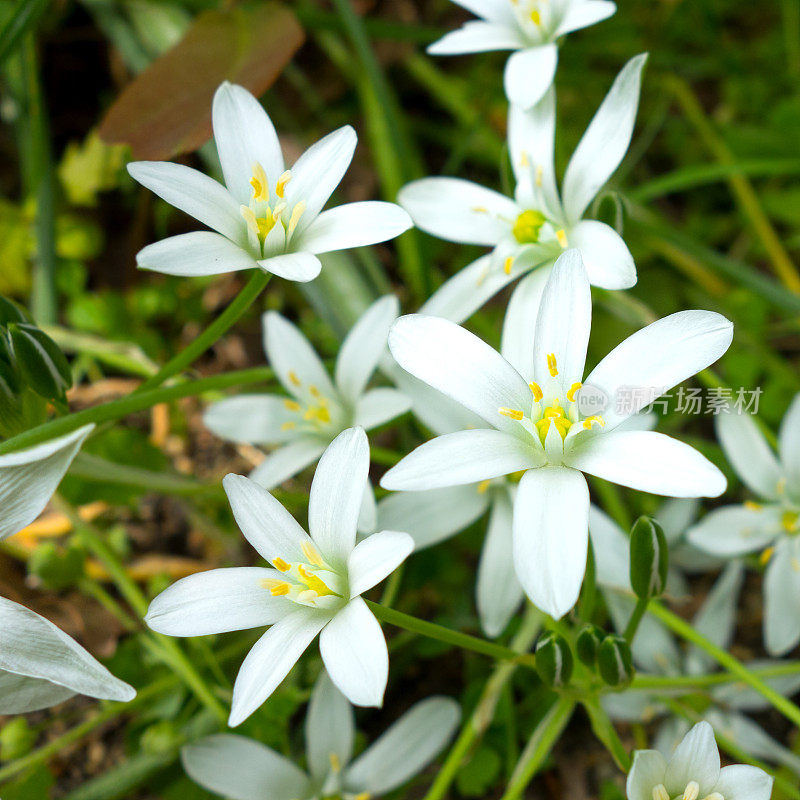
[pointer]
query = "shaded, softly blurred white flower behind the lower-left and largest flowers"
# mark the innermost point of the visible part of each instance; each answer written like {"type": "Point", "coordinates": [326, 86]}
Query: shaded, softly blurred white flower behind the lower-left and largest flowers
{"type": "Point", "coordinates": [318, 409]}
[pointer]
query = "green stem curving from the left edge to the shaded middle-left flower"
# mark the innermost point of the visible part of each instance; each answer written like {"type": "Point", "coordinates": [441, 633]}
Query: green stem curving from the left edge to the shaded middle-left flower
{"type": "Point", "coordinates": [132, 403]}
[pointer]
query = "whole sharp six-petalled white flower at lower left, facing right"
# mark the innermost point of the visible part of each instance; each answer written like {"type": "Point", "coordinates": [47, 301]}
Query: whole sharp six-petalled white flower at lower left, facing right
{"type": "Point", "coordinates": [314, 585]}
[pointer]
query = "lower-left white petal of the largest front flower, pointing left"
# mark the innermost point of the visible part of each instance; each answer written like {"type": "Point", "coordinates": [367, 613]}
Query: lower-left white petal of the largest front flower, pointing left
{"type": "Point", "coordinates": [459, 458]}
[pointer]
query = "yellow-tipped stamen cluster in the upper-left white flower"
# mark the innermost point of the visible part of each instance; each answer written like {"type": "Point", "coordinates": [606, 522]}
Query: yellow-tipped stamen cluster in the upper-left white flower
{"type": "Point", "coordinates": [268, 218]}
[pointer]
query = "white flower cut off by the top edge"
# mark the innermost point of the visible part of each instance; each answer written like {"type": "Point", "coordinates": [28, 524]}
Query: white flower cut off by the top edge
{"type": "Point", "coordinates": [529, 27]}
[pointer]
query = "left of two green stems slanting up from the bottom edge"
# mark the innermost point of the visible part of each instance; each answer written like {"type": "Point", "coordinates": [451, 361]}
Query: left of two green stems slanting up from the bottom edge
{"type": "Point", "coordinates": [482, 716]}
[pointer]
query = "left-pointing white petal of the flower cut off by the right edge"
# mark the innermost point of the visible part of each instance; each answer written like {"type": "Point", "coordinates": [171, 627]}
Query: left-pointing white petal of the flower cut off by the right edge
{"type": "Point", "coordinates": [736, 530]}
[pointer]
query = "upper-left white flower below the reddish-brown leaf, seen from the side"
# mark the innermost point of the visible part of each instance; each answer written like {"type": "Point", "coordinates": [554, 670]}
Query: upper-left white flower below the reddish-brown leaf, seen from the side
{"type": "Point", "coordinates": [265, 215]}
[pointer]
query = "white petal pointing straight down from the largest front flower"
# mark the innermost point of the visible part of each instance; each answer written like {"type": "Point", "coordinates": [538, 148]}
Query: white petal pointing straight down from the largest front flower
{"type": "Point", "coordinates": [551, 537]}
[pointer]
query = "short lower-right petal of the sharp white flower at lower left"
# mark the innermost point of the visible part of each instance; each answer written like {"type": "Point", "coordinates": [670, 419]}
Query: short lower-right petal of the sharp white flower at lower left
{"type": "Point", "coordinates": [355, 655]}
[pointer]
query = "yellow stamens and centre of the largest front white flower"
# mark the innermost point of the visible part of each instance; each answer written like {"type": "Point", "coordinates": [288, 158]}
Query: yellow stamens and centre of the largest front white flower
{"type": "Point", "coordinates": [552, 408]}
